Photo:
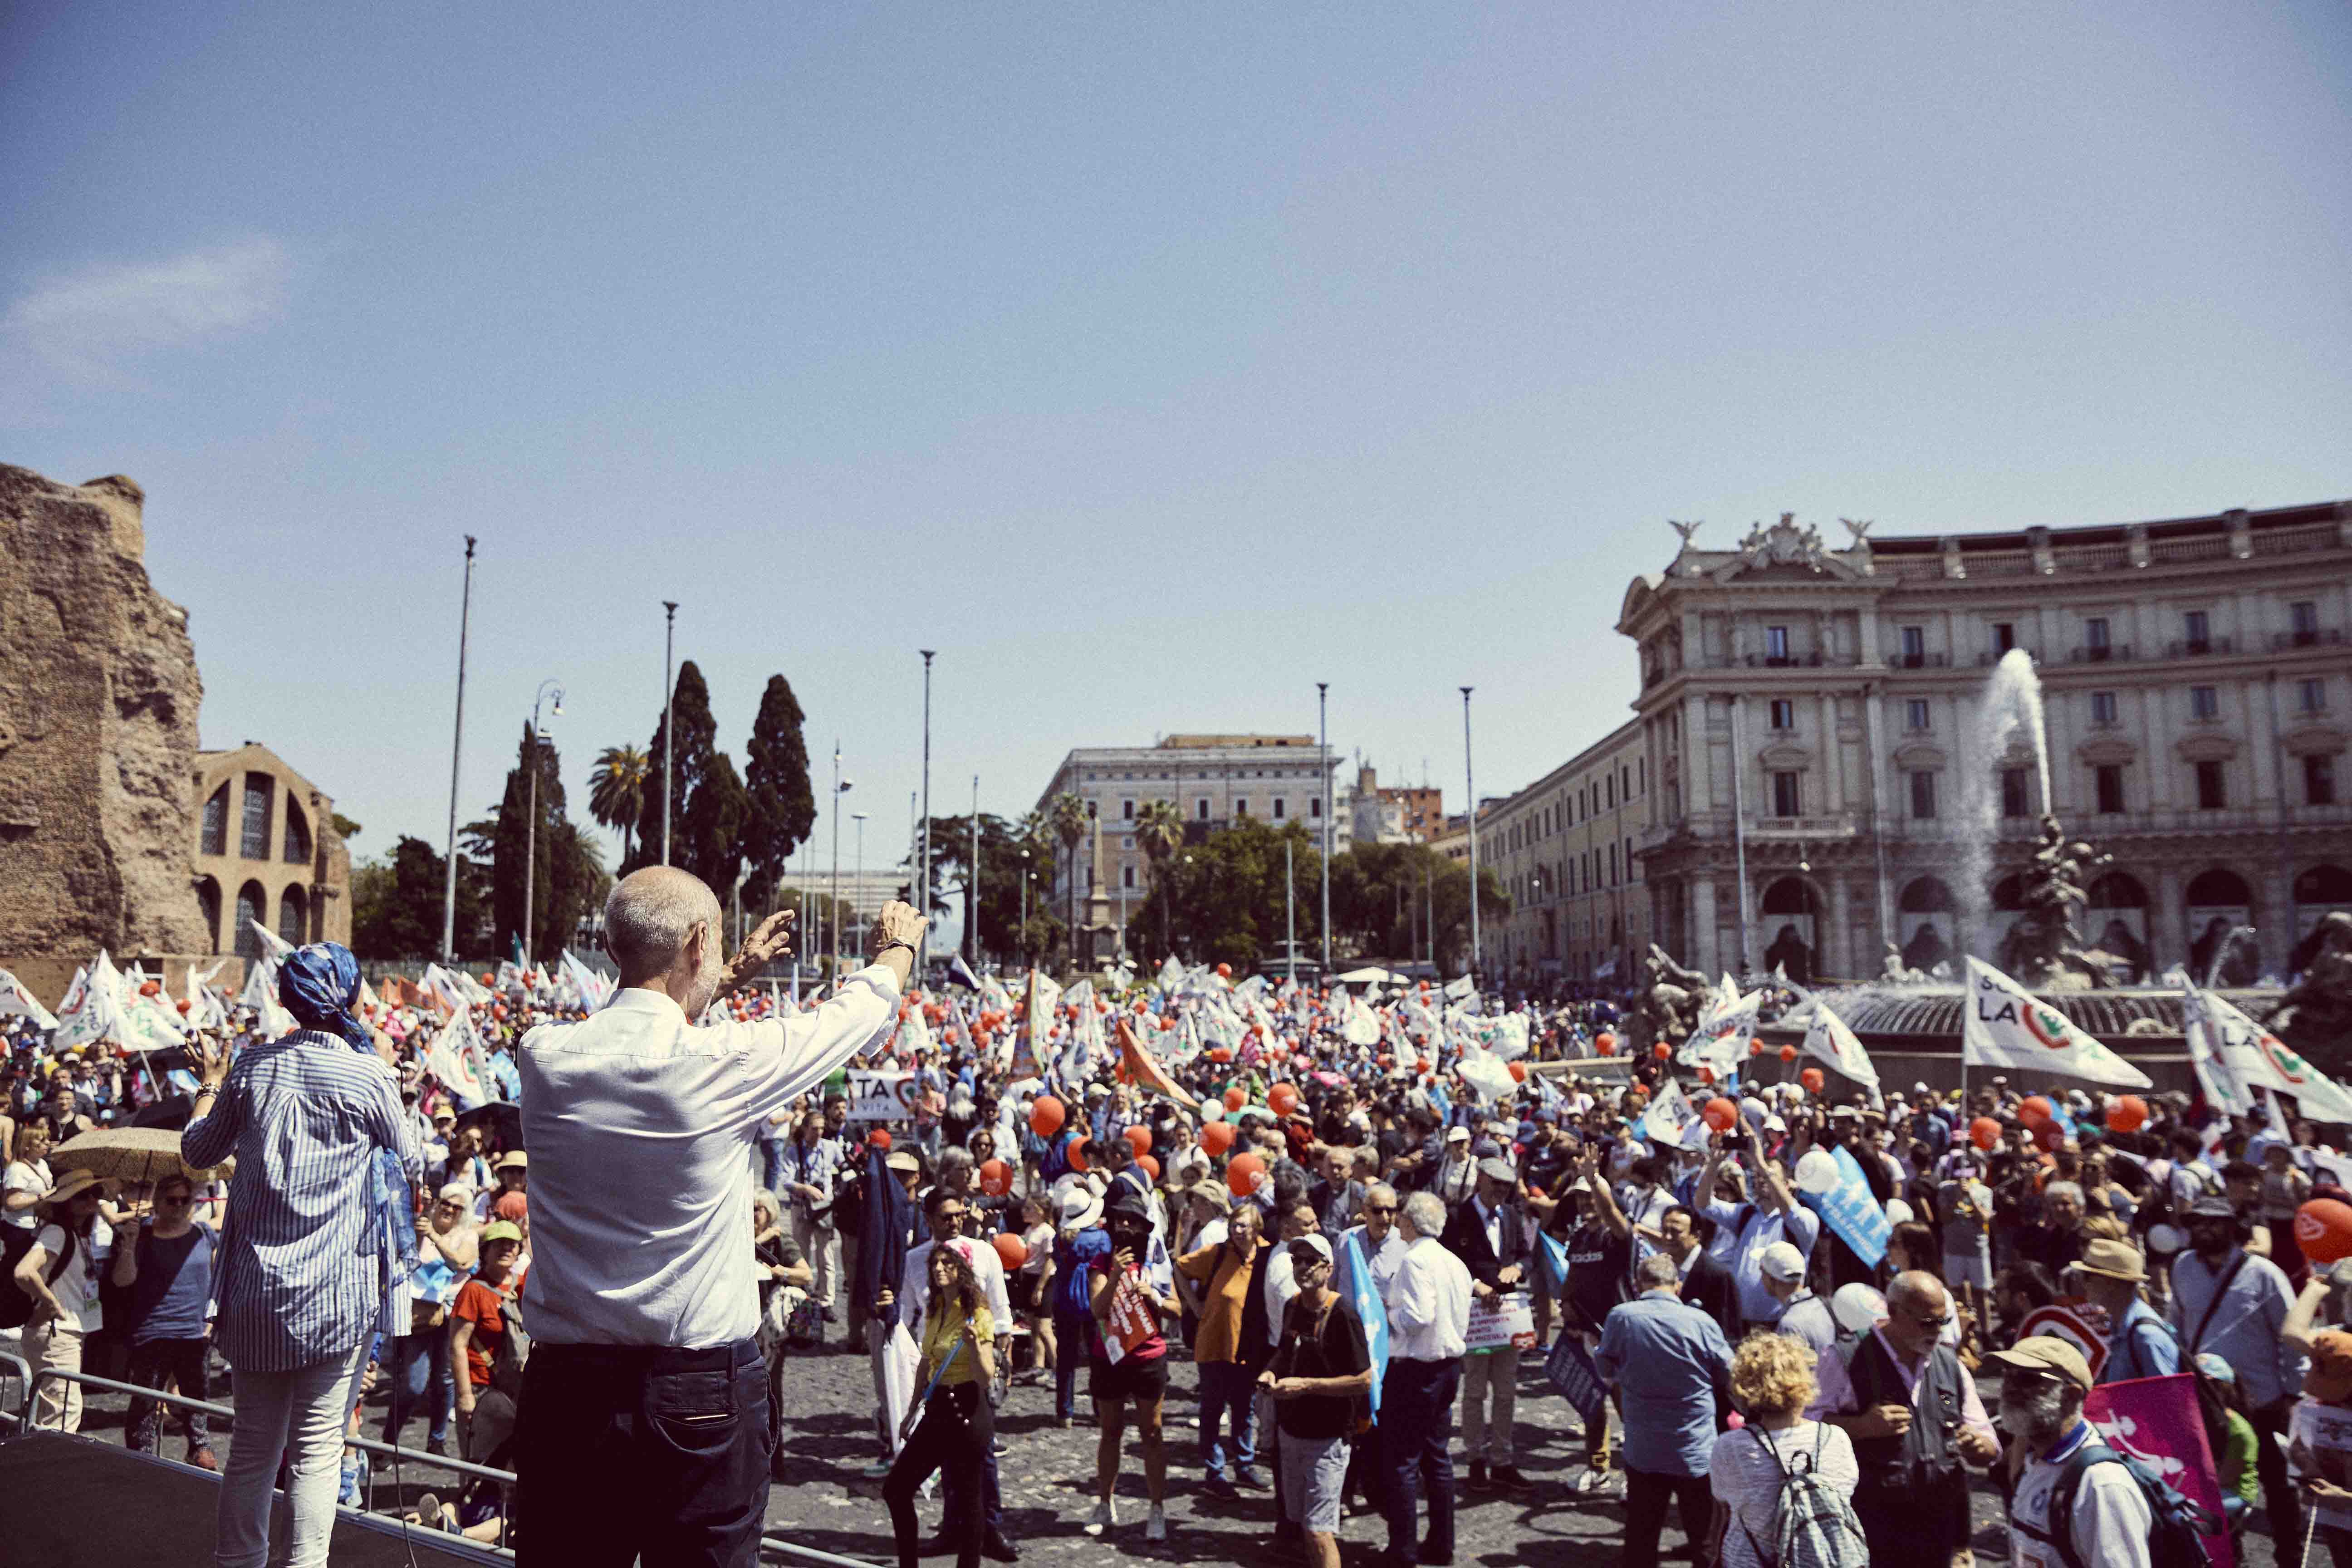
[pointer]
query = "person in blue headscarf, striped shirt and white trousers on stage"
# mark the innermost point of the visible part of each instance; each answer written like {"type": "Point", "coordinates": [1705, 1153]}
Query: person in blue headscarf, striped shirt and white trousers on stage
{"type": "Point", "coordinates": [319, 1235]}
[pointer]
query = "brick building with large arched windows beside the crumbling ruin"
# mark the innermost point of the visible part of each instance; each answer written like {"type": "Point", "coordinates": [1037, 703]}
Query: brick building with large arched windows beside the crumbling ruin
{"type": "Point", "coordinates": [267, 852]}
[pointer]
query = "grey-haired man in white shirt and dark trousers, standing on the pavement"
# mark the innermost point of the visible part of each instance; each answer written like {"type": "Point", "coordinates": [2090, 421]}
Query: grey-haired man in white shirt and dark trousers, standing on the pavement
{"type": "Point", "coordinates": [1429, 1318]}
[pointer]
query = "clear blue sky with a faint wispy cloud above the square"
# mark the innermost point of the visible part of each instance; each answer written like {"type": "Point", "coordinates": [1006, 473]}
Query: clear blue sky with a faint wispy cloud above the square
{"type": "Point", "coordinates": [1151, 363]}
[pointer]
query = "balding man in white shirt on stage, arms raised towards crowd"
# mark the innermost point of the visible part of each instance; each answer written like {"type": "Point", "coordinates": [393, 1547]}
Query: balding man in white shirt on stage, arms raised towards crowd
{"type": "Point", "coordinates": [646, 1381]}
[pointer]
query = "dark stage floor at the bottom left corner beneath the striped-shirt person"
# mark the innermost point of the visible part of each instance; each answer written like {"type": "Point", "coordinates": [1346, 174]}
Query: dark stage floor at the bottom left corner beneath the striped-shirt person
{"type": "Point", "coordinates": [79, 1503]}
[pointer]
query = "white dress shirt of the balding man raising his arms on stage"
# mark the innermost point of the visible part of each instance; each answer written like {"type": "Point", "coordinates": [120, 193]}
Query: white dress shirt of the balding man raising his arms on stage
{"type": "Point", "coordinates": [641, 1125]}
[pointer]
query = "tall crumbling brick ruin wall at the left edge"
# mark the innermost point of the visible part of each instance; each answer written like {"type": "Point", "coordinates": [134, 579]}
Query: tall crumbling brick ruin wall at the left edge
{"type": "Point", "coordinates": [98, 730]}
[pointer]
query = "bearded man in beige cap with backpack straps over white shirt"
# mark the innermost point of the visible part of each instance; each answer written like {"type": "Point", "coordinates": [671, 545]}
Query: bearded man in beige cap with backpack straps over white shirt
{"type": "Point", "coordinates": [2069, 1482]}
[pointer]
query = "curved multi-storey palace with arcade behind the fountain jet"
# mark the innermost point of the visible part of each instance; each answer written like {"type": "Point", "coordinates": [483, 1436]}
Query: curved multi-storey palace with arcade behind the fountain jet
{"type": "Point", "coordinates": [1826, 779]}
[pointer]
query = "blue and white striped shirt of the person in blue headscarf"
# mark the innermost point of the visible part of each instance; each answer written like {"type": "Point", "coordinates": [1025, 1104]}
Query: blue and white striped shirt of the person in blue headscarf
{"type": "Point", "coordinates": [302, 1257]}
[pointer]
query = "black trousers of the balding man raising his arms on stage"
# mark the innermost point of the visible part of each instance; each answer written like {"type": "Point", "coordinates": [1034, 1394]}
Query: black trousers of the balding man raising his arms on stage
{"type": "Point", "coordinates": [669, 1445]}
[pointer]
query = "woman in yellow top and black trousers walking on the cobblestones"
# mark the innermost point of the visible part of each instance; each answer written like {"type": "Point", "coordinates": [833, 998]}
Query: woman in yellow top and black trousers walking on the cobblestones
{"type": "Point", "coordinates": [958, 1362]}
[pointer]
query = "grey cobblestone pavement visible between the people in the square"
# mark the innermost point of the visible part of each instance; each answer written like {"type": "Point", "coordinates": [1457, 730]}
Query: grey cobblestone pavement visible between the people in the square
{"type": "Point", "coordinates": [1048, 1480]}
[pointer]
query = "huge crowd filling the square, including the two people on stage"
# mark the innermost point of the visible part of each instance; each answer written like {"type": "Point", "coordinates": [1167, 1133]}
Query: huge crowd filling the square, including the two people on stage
{"type": "Point", "coordinates": [1370, 1224]}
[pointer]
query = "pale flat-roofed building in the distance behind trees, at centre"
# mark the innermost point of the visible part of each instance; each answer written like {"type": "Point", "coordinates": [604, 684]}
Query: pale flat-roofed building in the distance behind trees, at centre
{"type": "Point", "coordinates": [1215, 782]}
